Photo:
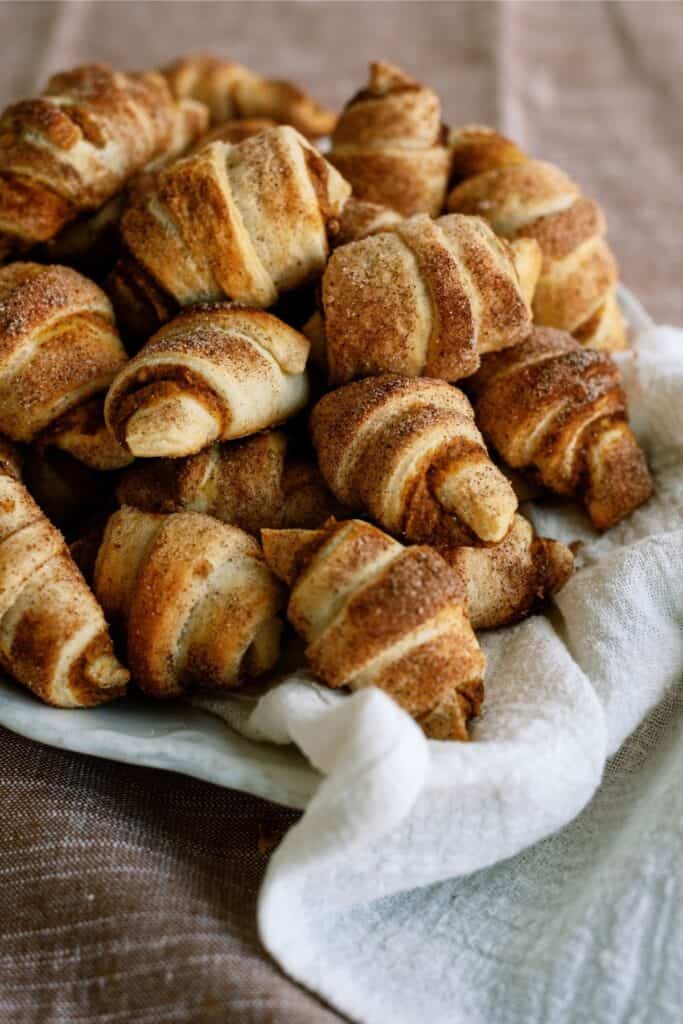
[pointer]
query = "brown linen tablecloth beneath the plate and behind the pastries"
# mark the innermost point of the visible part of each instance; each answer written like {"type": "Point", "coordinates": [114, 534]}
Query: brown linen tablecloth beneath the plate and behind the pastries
{"type": "Point", "coordinates": [129, 895]}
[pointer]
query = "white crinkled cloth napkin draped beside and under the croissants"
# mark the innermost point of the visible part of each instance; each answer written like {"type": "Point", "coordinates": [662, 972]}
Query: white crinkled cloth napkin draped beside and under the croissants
{"type": "Point", "coordinates": [371, 900]}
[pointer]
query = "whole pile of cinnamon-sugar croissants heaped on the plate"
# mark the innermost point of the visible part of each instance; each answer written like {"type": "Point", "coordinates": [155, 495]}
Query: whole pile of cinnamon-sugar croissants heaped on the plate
{"type": "Point", "coordinates": [244, 383]}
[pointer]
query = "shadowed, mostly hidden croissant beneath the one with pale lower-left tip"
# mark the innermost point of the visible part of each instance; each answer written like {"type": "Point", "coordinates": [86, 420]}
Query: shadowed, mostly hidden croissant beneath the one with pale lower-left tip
{"type": "Point", "coordinates": [251, 484]}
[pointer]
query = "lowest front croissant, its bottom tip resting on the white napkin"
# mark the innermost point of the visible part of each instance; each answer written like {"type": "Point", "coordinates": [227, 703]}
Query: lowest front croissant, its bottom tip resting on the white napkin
{"type": "Point", "coordinates": [376, 614]}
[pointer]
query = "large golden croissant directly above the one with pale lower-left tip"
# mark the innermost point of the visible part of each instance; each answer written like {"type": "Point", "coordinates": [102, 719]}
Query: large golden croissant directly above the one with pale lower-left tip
{"type": "Point", "coordinates": [244, 223]}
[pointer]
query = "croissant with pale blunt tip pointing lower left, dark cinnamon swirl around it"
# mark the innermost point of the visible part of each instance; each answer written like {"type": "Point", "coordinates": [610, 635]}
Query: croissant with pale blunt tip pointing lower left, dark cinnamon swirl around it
{"type": "Point", "coordinates": [215, 373]}
